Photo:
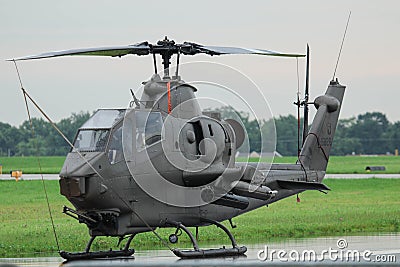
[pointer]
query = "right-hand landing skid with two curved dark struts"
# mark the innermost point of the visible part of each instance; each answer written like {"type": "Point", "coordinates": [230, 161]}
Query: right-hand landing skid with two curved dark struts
{"type": "Point", "coordinates": [207, 253]}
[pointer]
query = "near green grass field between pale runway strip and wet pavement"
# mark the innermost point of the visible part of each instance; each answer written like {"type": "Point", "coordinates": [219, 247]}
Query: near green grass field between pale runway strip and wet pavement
{"type": "Point", "coordinates": [353, 207]}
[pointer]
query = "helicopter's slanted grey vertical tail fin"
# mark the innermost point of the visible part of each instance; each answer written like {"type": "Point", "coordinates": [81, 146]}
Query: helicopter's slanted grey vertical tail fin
{"type": "Point", "coordinates": [317, 146]}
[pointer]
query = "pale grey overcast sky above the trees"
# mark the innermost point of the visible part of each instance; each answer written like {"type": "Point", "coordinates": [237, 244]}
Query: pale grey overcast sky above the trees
{"type": "Point", "coordinates": [369, 66]}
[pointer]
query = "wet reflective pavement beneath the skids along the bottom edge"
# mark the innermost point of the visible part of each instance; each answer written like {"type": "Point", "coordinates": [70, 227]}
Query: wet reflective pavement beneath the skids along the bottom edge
{"type": "Point", "coordinates": [378, 249]}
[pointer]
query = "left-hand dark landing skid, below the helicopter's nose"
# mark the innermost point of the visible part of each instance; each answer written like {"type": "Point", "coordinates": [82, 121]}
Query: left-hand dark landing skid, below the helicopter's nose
{"type": "Point", "coordinates": [87, 255]}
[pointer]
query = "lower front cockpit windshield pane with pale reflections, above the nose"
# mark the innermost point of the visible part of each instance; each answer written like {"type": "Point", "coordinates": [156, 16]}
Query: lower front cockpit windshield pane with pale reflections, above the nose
{"type": "Point", "coordinates": [91, 140]}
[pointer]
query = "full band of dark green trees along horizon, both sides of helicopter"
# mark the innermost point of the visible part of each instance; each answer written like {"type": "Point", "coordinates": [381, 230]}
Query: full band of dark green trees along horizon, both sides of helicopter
{"type": "Point", "coordinates": [368, 133]}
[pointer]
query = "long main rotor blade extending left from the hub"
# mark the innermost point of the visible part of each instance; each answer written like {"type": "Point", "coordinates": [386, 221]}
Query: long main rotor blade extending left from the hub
{"type": "Point", "coordinates": [112, 51]}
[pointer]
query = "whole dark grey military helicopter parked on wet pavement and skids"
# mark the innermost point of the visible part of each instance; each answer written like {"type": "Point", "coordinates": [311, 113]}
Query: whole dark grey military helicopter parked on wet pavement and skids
{"type": "Point", "coordinates": [163, 162]}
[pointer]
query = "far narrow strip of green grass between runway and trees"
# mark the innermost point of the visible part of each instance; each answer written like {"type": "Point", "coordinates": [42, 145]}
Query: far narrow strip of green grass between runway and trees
{"type": "Point", "coordinates": [337, 164]}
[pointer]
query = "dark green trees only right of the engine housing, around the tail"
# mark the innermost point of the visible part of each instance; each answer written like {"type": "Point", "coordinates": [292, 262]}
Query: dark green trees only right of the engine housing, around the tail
{"type": "Point", "coordinates": [368, 133]}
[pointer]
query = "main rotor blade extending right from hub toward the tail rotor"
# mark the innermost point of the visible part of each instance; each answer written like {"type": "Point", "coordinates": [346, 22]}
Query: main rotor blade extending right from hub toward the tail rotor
{"type": "Point", "coordinates": [223, 50]}
